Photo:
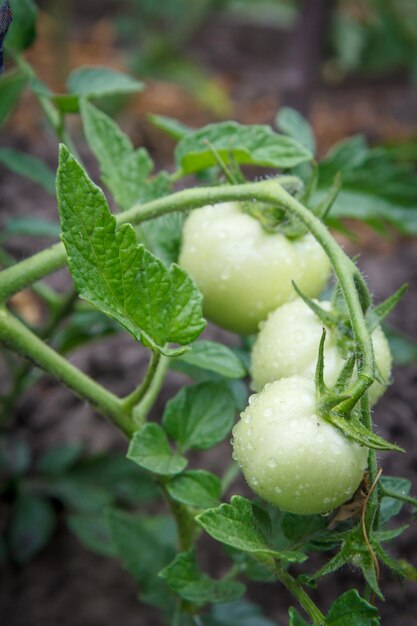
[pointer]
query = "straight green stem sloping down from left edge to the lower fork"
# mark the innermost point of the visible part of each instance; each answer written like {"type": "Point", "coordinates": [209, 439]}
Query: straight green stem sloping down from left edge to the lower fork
{"type": "Point", "coordinates": [22, 340]}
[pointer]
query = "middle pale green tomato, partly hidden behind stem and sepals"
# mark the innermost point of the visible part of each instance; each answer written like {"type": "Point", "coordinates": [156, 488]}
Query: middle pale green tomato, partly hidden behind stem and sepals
{"type": "Point", "coordinates": [288, 344]}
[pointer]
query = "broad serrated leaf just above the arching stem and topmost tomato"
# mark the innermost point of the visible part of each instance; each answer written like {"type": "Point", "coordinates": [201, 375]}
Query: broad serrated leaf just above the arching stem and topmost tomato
{"type": "Point", "coordinates": [251, 145]}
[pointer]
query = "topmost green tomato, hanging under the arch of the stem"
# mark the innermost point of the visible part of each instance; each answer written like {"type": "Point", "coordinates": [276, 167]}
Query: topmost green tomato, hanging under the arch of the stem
{"type": "Point", "coordinates": [244, 272]}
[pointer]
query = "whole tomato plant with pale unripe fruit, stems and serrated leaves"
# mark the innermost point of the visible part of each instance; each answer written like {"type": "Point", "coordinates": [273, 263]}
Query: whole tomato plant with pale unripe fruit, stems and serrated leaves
{"type": "Point", "coordinates": [306, 442]}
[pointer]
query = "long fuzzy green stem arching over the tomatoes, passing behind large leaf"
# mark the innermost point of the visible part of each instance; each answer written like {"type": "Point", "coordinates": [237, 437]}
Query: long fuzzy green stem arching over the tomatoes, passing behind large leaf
{"type": "Point", "coordinates": [15, 278]}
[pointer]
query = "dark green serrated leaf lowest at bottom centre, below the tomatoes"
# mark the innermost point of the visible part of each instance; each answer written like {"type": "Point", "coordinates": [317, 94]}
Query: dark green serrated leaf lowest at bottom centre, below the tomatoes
{"type": "Point", "coordinates": [187, 581]}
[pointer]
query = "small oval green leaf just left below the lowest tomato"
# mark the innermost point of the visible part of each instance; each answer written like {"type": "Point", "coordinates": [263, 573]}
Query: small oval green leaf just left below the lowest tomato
{"type": "Point", "coordinates": [196, 488]}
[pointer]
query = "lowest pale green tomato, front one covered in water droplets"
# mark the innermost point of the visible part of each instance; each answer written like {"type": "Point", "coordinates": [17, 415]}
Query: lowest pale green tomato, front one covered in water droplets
{"type": "Point", "coordinates": [292, 457]}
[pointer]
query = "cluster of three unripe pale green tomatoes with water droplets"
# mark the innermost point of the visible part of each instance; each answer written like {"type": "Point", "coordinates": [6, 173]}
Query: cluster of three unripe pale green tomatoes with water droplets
{"type": "Point", "coordinates": [288, 453]}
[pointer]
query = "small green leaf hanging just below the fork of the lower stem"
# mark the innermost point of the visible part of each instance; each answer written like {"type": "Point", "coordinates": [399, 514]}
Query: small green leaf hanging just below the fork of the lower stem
{"type": "Point", "coordinates": [150, 449]}
